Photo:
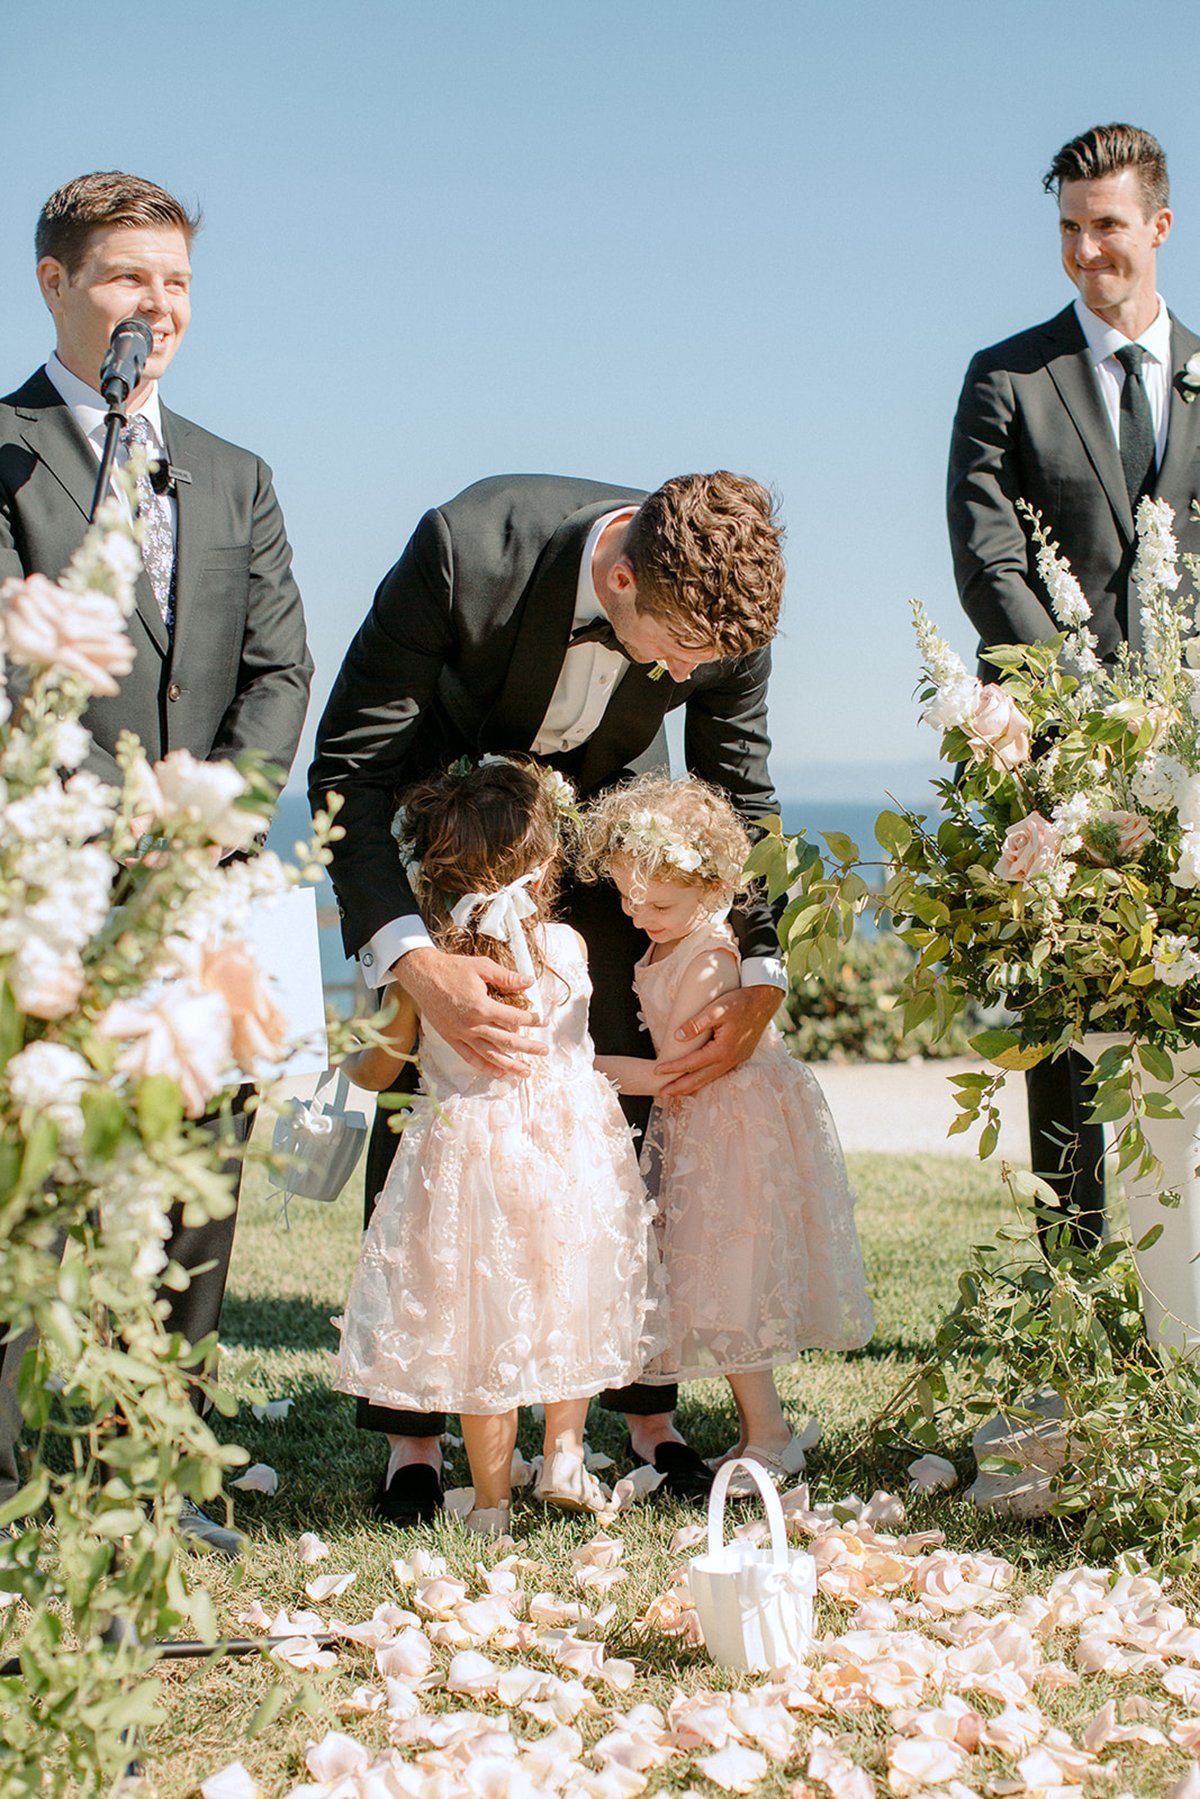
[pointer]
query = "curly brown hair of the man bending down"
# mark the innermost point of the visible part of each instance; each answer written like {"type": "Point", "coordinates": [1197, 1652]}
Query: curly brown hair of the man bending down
{"type": "Point", "coordinates": [706, 551]}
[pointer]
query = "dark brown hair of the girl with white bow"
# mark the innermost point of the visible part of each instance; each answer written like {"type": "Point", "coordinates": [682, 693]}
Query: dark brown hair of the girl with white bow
{"type": "Point", "coordinates": [476, 832]}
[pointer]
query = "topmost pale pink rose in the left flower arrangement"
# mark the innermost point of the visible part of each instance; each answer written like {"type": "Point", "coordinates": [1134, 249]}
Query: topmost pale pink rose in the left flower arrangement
{"type": "Point", "coordinates": [46, 627]}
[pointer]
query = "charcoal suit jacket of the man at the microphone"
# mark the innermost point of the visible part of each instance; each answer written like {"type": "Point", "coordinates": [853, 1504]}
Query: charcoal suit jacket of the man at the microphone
{"type": "Point", "coordinates": [238, 670]}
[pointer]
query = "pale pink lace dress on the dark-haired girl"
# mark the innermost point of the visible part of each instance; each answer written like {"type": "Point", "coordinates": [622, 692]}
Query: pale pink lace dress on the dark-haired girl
{"type": "Point", "coordinates": [512, 1255]}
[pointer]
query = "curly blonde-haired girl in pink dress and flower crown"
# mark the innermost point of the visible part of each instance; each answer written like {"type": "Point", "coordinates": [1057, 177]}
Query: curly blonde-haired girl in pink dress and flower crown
{"type": "Point", "coordinates": [755, 1208]}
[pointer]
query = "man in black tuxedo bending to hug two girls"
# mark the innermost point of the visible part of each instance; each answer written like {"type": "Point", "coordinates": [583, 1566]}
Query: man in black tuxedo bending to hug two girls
{"type": "Point", "coordinates": [559, 620]}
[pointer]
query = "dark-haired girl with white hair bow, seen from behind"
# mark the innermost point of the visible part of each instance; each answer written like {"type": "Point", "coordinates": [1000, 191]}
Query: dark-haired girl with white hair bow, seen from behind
{"type": "Point", "coordinates": [510, 1258]}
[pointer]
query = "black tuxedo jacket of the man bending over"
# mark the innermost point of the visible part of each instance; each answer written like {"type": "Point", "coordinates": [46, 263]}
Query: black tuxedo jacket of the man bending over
{"type": "Point", "coordinates": [461, 654]}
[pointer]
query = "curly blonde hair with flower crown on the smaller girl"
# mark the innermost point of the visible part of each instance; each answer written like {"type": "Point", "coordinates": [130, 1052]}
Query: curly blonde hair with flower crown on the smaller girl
{"type": "Point", "coordinates": [652, 821]}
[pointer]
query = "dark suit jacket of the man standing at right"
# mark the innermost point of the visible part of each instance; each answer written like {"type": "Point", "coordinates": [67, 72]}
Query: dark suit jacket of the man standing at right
{"type": "Point", "coordinates": [1032, 425]}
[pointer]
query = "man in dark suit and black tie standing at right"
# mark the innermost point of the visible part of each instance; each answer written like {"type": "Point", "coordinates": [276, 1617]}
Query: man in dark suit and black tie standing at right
{"type": "Point", "coordinates": [1080, 418]}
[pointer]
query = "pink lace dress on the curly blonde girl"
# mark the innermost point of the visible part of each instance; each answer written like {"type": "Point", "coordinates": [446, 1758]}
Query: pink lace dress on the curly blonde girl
{"type": "Point", "coordinates": [757, 1217]}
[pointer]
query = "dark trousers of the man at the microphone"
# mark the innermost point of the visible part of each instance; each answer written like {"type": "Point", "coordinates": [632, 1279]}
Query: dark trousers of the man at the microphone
{"type": "Point", "coordinates": [195, 1312]}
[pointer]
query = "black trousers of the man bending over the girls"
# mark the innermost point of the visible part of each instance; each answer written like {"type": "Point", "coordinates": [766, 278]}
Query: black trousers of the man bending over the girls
{"type": "Point", "coordinates": [614, 947]}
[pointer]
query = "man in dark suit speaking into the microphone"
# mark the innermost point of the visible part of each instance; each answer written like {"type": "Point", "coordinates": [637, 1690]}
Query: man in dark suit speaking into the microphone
{"type": "Point", "coordinates": [222, 661]}
